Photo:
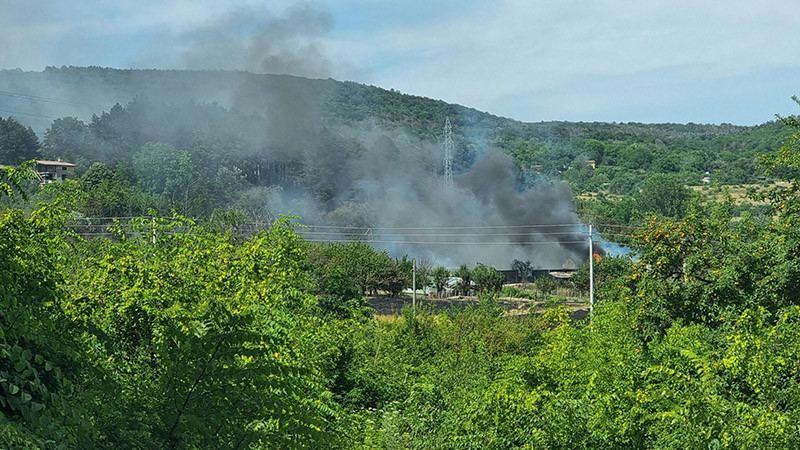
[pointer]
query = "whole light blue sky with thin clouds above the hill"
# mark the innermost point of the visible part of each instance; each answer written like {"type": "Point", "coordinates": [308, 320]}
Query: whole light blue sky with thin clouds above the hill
{"type": "Point", "coordinates": [604, 60]}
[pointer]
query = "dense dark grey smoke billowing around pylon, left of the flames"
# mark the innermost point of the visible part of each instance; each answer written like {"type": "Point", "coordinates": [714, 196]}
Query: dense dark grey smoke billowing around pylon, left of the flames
{"type": "Point", "coordinates": [386, 186]}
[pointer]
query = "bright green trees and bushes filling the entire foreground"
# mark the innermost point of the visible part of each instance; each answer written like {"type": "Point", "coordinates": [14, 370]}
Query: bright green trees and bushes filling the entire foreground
{"type": "Point", "coordinates": [207, 339]}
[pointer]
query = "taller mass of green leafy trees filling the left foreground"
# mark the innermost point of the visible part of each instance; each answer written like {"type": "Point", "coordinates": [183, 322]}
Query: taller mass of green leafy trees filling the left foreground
{"type": "Point", "coordinates": [188, 342]}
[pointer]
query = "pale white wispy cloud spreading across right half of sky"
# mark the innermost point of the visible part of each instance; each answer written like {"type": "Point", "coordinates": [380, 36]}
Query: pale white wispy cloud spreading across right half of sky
{"type": "Point", "coordinates": [547, 49]}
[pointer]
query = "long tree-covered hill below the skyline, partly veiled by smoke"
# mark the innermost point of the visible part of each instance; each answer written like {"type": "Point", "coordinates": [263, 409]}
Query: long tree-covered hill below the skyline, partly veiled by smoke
{"type": "Point", "coordinates": [336, 140]}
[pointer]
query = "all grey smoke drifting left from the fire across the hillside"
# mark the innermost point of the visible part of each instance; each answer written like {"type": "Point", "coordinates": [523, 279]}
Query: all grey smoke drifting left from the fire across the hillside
{"type": "Point", "coordinates": [289, 138]}
